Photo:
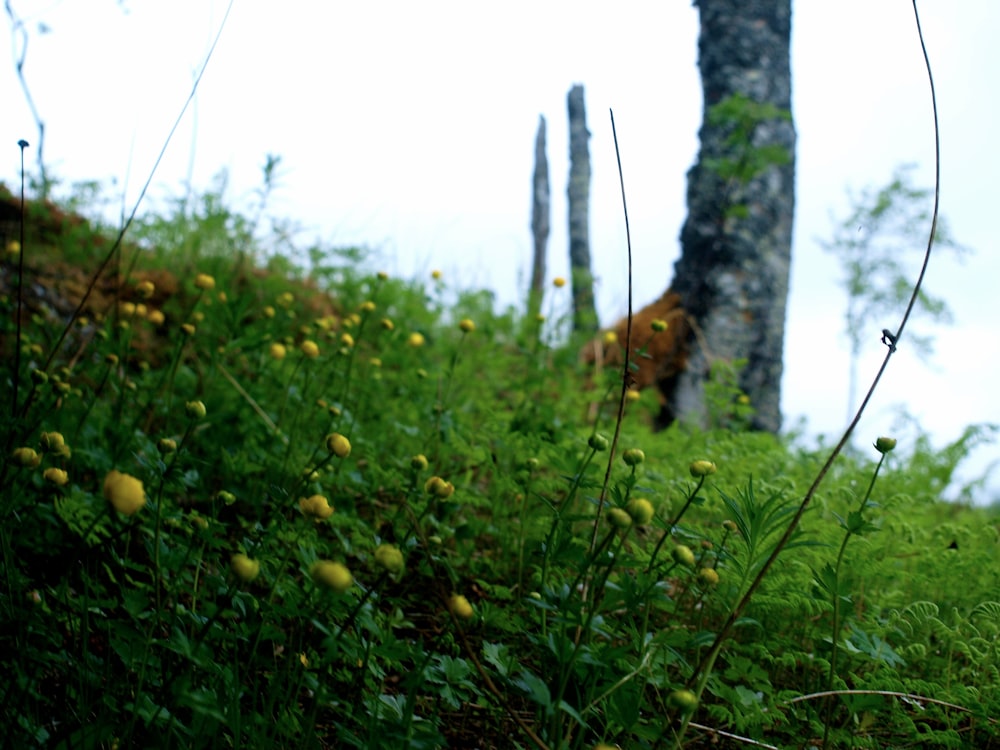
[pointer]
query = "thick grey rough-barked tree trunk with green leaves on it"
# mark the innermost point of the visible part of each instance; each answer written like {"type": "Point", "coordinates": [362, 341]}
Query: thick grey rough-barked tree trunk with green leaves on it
{"type": "Point", "coordinates": [736, 243]}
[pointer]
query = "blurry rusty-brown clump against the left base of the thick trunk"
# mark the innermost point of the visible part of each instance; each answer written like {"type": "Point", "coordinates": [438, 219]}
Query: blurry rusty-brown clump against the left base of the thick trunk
{"type": "Point", "coordinates": [659, 355]}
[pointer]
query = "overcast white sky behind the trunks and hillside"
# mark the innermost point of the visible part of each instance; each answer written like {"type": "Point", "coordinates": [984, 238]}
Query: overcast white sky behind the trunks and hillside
{"type": "Point", "coordinates": [409, 128]}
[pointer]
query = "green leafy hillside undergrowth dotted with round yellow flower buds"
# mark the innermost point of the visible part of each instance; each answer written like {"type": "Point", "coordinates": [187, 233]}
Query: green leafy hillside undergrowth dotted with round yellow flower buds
{"type": "Point", "coordinates": [246, 504]}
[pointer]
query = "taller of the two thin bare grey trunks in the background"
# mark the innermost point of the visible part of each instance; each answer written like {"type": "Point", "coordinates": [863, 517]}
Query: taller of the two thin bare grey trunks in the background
{"type": "Point", "coordinates": [584, 314]}
